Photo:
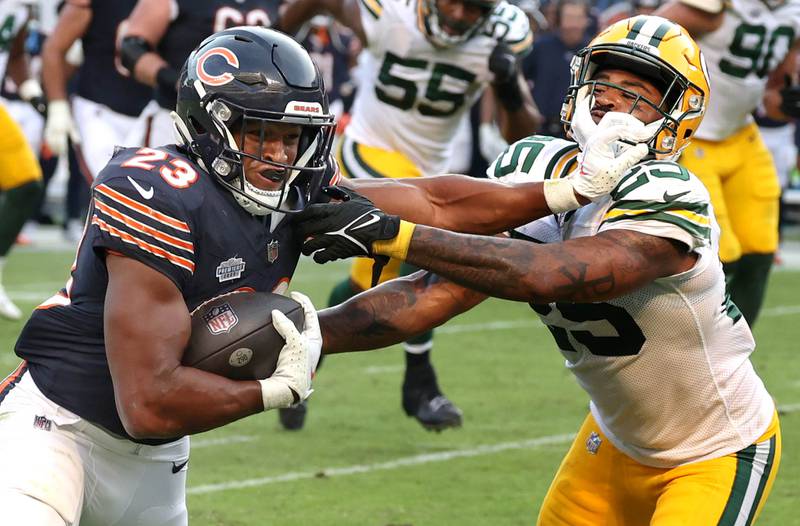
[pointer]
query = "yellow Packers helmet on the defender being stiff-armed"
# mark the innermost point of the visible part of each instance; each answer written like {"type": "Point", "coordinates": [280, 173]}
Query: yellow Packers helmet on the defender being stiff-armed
{"type": "Point", "coordinates": [659, 51]}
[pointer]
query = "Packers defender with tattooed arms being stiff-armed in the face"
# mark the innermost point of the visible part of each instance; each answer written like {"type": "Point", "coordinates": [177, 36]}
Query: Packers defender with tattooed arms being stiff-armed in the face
{"type": "Point", "coordinates": [681, 429]}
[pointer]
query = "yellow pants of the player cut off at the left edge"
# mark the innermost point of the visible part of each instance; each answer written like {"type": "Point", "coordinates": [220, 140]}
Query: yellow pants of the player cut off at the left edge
{"type": "Point", "coordinates": [18, 164]}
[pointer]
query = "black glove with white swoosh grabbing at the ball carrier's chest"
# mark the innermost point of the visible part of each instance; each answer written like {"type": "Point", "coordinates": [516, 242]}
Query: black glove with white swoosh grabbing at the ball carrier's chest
{"type": "Point", "coordinates": [343, 229]}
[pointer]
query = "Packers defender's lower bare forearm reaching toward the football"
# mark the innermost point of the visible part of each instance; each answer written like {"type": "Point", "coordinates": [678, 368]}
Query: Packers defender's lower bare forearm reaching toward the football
{"type": "Point", "coordinates": [393, 312]}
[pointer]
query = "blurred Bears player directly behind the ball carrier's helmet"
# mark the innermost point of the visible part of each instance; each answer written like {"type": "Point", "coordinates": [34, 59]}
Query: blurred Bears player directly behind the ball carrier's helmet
{"type": "Point", "coordinates": [158, 39]}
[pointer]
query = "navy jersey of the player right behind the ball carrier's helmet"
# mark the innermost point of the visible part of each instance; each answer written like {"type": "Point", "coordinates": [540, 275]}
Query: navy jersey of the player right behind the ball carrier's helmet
{"type": "Point", "coordinates": [197, 19]}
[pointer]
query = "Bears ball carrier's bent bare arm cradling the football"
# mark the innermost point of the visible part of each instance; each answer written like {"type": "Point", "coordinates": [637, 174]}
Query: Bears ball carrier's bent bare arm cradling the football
{"type": "Point", "coordinates": [147, 327]}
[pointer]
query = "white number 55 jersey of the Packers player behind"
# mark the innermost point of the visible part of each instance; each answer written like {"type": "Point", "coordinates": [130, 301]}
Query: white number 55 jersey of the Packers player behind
{"type": "Point", "coordinates": [412, 95]}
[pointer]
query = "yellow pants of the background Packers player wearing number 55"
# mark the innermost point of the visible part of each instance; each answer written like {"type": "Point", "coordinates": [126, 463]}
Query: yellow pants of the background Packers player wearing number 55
{"type": "Point", "coordinates": [358, 161]}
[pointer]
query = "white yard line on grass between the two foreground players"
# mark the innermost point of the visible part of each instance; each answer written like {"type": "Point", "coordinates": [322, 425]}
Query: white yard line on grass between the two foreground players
{"type": "Point", "coordinates": [383, 466]}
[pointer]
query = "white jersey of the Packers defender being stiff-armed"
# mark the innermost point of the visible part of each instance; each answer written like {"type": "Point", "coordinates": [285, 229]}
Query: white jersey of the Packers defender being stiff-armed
{"type": "Point", "coordinates": [666, 366]}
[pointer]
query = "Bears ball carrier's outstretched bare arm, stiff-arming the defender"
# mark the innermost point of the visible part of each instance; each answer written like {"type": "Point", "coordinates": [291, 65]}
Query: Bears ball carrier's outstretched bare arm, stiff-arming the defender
{"type": "Point", "coordinates": [457, 202]}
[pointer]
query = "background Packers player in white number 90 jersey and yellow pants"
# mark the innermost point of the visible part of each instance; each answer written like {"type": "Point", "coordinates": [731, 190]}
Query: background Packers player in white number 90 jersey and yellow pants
{"type": "Point", "coordinates": [747, 45]}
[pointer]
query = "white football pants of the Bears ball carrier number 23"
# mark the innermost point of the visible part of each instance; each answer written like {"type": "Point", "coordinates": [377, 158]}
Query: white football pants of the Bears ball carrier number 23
{"type": "Point", "coordinates": [57, 469]}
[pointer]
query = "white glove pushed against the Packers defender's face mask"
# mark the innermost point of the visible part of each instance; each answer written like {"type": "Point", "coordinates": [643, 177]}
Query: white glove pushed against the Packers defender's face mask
{"type": "Point", "coordinates": [601, 163]}
